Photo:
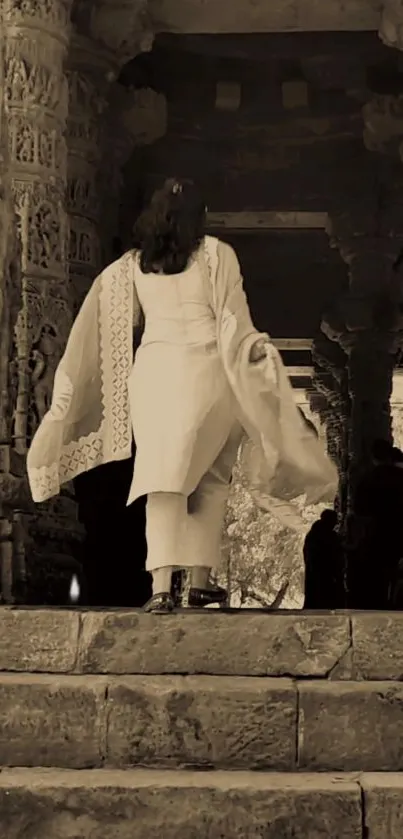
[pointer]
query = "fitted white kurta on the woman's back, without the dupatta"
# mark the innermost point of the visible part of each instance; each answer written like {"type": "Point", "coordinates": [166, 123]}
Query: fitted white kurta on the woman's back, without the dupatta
{"type": "Point", "coordinates": [182, 406]}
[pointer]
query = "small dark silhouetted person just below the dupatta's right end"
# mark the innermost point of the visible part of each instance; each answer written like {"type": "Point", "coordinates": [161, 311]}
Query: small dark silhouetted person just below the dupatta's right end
{"type": "Point", "coordinates": [324, 572]}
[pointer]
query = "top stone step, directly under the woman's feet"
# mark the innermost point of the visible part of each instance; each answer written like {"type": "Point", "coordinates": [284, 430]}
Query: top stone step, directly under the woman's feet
{"type": "Point", "coordinates": [241, 643]}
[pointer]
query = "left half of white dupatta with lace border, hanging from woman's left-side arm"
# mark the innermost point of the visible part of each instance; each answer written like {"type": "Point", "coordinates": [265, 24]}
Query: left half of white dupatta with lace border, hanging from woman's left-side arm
{"type": "Point", "coordinates": [88, 423]}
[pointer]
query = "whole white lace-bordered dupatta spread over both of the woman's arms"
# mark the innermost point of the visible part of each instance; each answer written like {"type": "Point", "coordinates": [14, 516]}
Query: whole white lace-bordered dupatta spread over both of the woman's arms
{"type": "Point", "coordinates": [89, 424]}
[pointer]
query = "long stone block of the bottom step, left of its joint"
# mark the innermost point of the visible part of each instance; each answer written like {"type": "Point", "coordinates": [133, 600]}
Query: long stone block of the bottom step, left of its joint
{"type": "Point", "coordinates": [176, 805]}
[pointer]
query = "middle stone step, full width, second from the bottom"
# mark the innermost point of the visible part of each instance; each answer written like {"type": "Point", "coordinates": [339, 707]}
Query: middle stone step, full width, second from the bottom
{"type": "Point", "coordinates": [77, 721]}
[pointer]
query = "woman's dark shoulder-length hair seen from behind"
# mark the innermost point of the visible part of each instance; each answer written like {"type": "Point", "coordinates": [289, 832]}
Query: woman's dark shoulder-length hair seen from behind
{"type": "Point", "coordinates": [171, 227]}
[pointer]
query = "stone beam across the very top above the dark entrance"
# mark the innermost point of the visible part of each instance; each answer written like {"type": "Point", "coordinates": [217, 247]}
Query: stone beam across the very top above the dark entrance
{"type": "Point", "coordinates": [127, 27]}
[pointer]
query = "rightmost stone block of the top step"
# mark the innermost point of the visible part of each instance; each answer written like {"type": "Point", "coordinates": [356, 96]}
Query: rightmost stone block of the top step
{"type": "Point", "coordinates": [377, 645]}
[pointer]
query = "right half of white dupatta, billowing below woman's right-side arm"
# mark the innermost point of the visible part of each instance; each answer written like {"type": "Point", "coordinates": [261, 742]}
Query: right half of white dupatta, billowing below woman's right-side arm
{"type": "Point", "coordinates": [281, 459]}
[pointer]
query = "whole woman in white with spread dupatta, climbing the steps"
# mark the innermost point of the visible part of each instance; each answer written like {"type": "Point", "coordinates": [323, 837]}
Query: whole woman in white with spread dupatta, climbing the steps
{"type": "Point", "coordinates": [189, 396]}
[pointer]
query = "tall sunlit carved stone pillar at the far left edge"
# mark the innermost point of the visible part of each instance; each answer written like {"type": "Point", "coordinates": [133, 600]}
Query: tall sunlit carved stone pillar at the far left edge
{"type": "Point", "coordinates": [35, 38]}
